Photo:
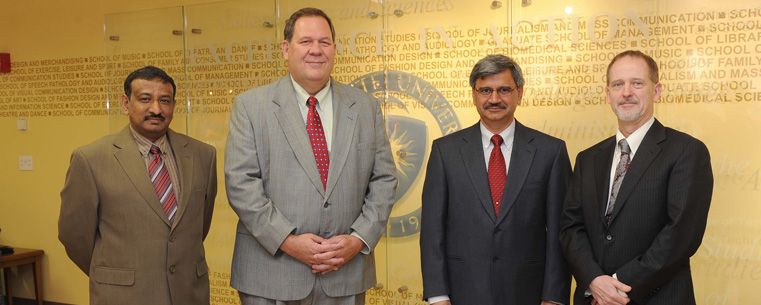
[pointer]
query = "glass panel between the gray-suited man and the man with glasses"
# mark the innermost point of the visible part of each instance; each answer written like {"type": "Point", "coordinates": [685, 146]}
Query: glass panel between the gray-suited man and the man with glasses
{"type": "Point", "coordinates": [431, 47]}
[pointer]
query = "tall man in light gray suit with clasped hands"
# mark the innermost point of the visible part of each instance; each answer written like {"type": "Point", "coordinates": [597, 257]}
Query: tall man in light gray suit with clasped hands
{"type": "Point", "coordinates": [310, 174]}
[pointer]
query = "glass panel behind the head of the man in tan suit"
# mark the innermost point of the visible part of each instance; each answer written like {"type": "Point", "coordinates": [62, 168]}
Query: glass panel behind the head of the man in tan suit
{"type": "Point", "coordinates": [136, 39]}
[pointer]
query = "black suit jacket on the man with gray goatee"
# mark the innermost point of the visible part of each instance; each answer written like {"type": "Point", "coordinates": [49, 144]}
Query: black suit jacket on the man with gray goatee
{"type": "Point", "coordinates": [657, 223]}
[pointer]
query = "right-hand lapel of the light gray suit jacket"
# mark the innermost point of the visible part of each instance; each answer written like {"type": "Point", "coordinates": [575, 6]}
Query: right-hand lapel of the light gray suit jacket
{"type": "Point", "coordinates": [344, 122]}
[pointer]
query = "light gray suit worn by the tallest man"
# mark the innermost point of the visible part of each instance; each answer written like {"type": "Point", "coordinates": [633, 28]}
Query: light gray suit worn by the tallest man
{"type": "Point", "coordinates": [274, 186]}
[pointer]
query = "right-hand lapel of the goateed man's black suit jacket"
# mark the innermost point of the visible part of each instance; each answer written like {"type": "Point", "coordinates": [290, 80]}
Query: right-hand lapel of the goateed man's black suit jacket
{"type": "Point", "coordinates": [646, 153]}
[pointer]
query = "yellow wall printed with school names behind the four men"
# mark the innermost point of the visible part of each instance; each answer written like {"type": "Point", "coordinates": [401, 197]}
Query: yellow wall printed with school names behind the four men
{"type": "Point", "coordinates": [416, 56]}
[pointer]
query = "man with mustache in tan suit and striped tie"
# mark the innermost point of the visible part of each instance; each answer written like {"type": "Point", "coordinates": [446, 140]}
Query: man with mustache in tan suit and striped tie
{"type": "Point", "coordinates": [137, 205]}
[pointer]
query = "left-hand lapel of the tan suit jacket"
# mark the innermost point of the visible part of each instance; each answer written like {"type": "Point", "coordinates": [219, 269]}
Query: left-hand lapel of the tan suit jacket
{"type": "Point", "coordinates": [133, 165]}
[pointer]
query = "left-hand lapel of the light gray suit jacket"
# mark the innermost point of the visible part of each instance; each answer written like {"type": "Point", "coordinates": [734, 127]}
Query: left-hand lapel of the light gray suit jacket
{"type": "Point", "coordinates": [289, 117]}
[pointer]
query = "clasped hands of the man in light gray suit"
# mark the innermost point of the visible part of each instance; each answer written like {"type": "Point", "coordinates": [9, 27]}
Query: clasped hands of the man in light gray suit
{"type": "Point", "coordinates": [306, 247]}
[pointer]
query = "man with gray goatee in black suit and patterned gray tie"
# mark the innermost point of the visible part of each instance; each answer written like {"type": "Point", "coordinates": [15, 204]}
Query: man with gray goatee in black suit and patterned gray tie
{"type": "Point", "coordinates": [638, 203]}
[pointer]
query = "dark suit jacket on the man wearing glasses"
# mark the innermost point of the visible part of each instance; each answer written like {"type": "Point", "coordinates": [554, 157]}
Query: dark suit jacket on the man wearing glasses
{"type": "Point", "coordinates": [476, 257]}
